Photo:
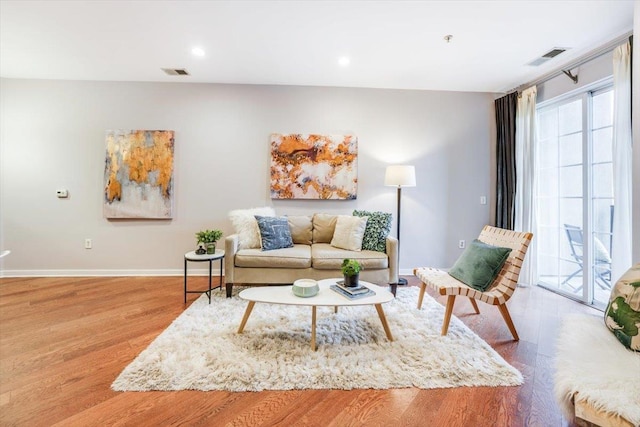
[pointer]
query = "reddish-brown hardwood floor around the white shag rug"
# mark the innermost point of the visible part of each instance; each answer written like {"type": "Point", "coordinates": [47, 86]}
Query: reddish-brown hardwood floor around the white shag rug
{"type": "Point", "coordinates": [64, 340]}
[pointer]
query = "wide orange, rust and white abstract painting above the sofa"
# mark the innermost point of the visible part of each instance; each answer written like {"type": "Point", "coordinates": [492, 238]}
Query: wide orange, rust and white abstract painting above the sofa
{"type": "Point", "coordinates": [314, 166]}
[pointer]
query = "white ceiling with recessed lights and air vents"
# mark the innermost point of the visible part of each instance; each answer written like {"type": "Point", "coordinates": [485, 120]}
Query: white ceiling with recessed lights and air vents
{"type": "Point", "coordinates": [391, 44]}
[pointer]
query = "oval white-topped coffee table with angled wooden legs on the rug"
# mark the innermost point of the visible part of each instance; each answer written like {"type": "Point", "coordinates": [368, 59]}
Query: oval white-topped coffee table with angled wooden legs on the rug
{"type": "Point", "coordinates": [325, 297]}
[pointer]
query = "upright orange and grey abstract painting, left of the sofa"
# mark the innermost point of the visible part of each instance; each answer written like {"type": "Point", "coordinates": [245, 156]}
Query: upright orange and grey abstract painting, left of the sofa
{"type": "Point", "coordinates": [138, 174]}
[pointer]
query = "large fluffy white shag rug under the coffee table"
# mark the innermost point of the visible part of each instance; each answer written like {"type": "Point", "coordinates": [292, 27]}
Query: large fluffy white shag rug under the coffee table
{"type": "Point", "coordinates": [201, 350]}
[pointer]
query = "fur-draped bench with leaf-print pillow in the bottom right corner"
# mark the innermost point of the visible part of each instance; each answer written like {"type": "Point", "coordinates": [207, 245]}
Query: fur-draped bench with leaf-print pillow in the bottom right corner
{"type": "Point", "coordinates": [597, 377]}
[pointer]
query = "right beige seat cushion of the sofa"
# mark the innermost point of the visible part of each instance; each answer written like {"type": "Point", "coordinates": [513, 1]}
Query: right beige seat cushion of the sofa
{"type": "Point", "coordinates": [326, 257]}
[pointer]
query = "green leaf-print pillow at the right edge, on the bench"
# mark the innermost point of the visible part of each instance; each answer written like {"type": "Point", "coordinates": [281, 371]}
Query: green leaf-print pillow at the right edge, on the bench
{"type": "Point", "coordinates": [622, 315]}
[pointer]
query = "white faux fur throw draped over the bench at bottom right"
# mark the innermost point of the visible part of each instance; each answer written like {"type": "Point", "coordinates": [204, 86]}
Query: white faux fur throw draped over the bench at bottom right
{"type": "Point", "coordinates": [591, 361]}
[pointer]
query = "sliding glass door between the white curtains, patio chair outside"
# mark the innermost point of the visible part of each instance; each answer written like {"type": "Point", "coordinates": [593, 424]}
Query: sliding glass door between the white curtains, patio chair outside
{"type": "Point", "coordinates": [575, 195]}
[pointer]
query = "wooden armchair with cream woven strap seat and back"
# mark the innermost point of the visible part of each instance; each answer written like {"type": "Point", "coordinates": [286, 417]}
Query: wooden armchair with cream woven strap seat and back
{"type": "Point", "coordinates": [500, 290]}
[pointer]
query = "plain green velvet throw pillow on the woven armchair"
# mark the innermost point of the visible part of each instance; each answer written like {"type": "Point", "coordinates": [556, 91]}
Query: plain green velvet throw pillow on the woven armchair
{"type": "Point", "coordinates": [479, 264]}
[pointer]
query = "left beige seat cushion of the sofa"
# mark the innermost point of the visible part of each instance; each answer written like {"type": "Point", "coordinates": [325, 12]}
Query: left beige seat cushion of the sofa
{"type": "Point", "coordinates": [299, 256]}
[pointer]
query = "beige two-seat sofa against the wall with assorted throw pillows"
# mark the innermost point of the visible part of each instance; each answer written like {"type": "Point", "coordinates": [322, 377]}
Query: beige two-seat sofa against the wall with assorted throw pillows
{"type": "Point", "coordinates": [312, 256]}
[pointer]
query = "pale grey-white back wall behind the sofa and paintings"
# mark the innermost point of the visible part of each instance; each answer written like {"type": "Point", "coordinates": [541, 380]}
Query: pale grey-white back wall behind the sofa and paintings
{"type": "Point", "coordinates": [53, 136]}
